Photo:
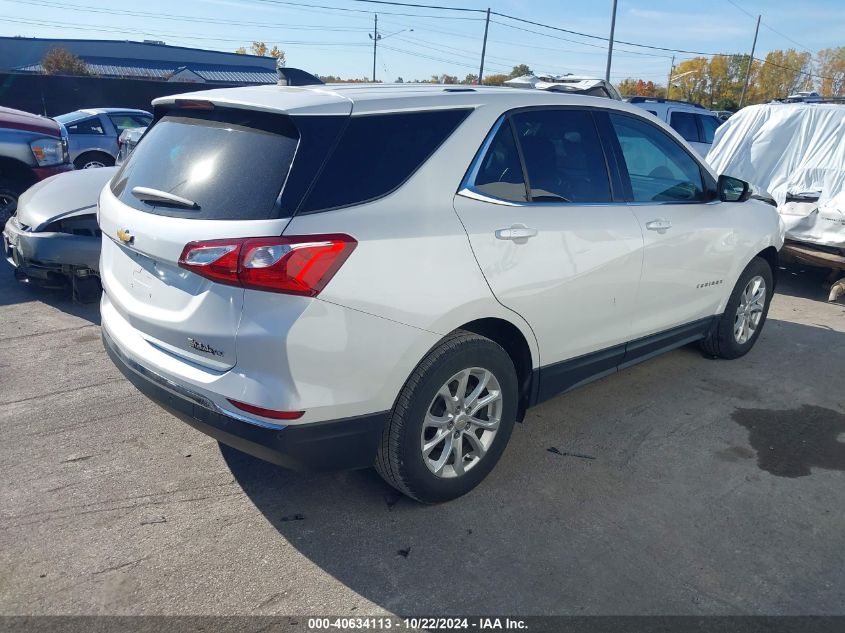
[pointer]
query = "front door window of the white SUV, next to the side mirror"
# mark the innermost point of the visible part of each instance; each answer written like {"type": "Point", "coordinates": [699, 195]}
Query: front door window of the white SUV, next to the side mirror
{"type": "Point", "coordinates": [659, 168]}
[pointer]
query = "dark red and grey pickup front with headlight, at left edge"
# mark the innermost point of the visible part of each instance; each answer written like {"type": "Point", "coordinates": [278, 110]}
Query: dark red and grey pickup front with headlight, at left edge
{"type": "Point", "coordinates": [32, 148]}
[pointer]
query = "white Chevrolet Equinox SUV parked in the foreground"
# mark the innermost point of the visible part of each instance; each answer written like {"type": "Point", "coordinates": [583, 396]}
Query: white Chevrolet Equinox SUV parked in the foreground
{"type": "Point", "coordinates": [341, 276]}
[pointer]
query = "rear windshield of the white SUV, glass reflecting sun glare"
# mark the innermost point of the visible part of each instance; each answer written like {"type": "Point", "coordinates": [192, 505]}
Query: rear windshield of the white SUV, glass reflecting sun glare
{"type": "Point", "coordinates": [231, 163]}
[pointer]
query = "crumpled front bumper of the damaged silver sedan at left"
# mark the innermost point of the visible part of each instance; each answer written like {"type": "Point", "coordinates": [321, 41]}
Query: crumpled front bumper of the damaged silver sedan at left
{"type": "Point", "coordinates": [43, 254]}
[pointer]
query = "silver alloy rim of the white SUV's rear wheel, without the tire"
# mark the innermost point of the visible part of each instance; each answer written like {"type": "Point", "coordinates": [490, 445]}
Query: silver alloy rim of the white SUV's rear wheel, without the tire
{"type": "Point", "coordinates": [461, 422]}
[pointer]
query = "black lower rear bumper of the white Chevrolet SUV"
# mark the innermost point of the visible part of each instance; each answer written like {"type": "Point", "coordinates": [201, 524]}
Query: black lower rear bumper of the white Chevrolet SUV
{"type": "Point", "coordinates": [320, 446]}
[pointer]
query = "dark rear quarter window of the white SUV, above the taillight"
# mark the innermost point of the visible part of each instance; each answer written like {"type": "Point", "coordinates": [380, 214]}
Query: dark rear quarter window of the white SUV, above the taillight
{"type": "Point", "coordinates": [377, 153]}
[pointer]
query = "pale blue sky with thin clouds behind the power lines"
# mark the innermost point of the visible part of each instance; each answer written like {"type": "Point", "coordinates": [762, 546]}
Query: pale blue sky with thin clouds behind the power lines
{"type": "Point", "coordinates": [330, 37]}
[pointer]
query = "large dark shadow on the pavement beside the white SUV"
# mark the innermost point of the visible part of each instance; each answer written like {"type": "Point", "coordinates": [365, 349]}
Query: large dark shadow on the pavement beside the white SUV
{"type": "Point", "coordinates": [620, 516]}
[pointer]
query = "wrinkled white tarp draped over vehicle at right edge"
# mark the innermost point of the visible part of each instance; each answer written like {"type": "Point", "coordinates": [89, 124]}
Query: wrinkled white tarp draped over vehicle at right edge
{"type": "Point", "coordinates": [788, 150]}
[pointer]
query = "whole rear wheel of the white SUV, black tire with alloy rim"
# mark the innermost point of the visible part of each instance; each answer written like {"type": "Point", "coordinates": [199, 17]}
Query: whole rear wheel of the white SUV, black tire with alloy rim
{"type": "Point", "coordinates": [452, 420]}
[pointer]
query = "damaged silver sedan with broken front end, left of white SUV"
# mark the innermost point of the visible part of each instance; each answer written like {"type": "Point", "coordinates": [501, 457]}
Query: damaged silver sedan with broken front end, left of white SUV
{"type": "Point", "coordinates": [53, 240]}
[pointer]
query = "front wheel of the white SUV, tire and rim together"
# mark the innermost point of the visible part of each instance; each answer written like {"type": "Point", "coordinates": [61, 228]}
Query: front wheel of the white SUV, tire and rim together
{"type": "Point", "coordinates": [740, 325]}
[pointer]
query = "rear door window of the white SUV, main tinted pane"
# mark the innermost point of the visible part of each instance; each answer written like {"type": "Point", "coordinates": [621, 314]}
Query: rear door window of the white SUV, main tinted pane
{"type": "Point", "coordinates": [563, 156]}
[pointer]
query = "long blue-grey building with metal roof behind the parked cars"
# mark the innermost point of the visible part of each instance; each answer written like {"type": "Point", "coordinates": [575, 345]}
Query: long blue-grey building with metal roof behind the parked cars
{"type": "Point", "coordinates": [142, 60]}
